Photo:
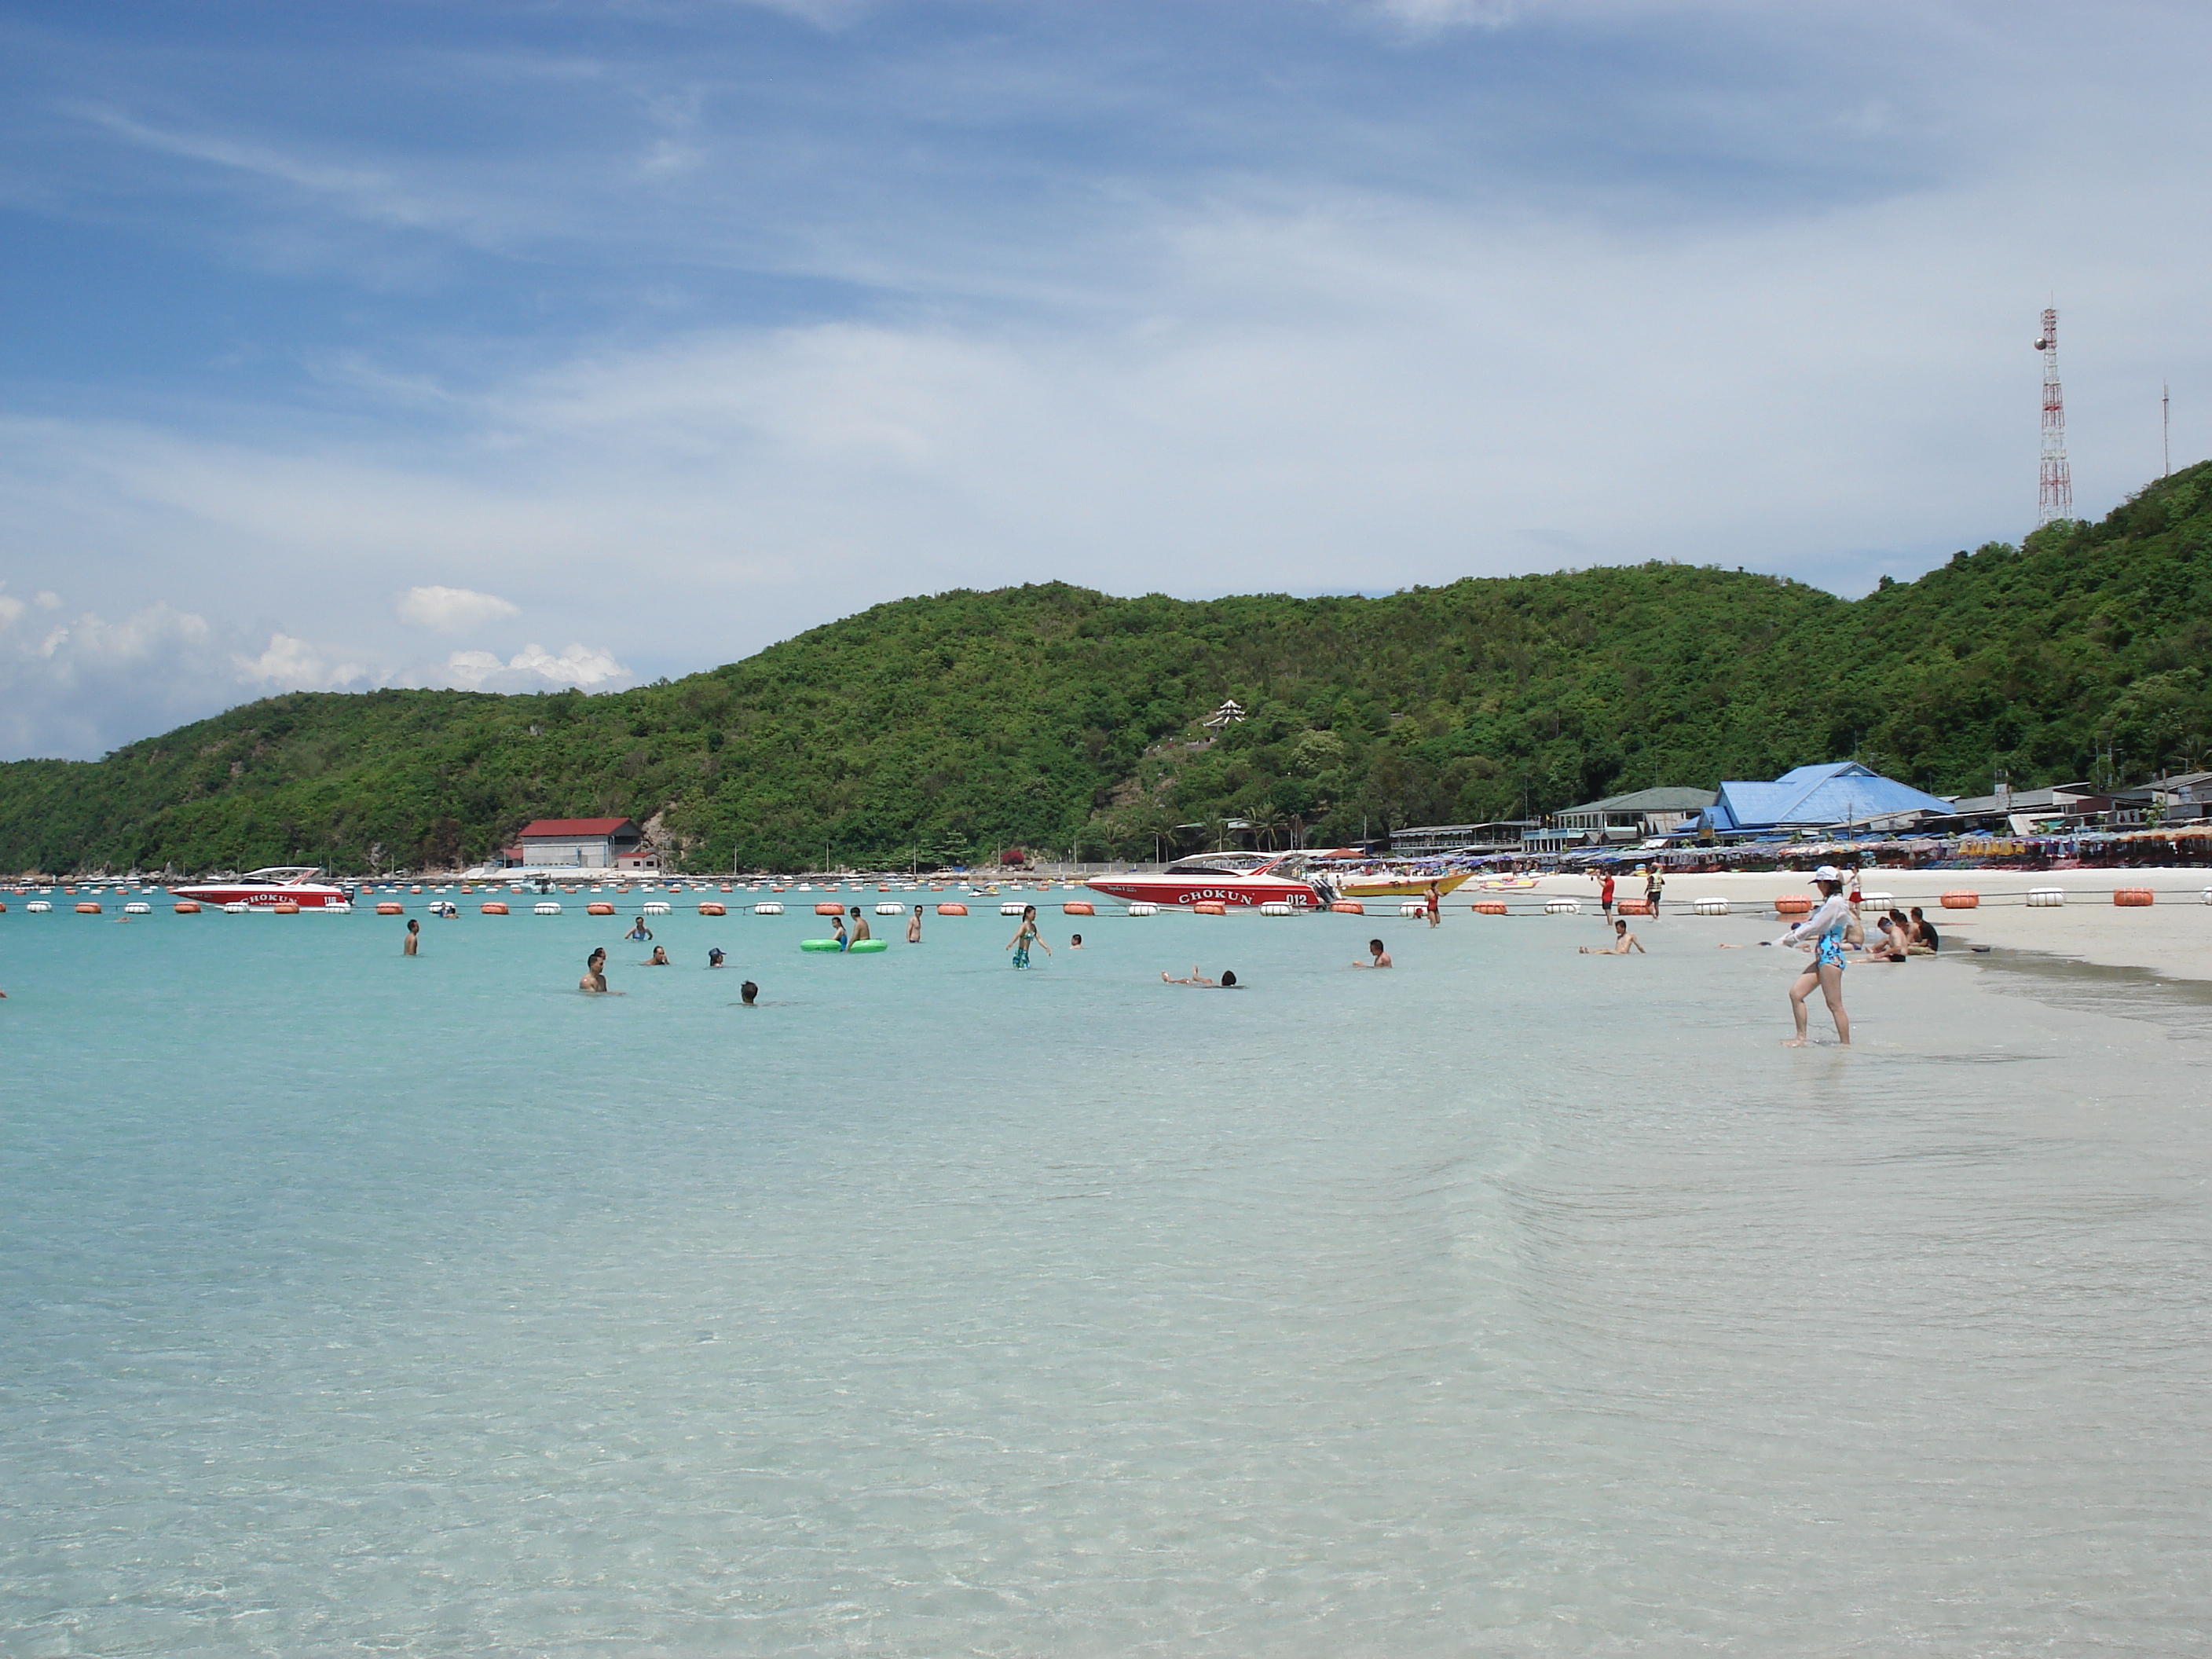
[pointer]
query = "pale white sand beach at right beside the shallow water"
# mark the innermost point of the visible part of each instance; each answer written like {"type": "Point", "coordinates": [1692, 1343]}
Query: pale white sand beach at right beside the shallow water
{"type": "Point", "coordinates": [2171, 937]}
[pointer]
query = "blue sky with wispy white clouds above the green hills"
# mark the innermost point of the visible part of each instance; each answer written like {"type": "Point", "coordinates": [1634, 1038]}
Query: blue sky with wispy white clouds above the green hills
{"type": "Point", "coordinates": [587, 342]}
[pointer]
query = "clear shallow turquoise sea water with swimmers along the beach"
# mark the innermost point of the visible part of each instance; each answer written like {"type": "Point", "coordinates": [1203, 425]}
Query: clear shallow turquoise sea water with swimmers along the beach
{"type": "Point", "coordinates": [1510, 1304]}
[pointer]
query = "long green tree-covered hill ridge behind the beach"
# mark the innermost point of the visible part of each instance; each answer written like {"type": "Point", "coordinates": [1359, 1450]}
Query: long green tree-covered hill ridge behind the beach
{"type": "Point", "coordinates": [1061, 718]}
